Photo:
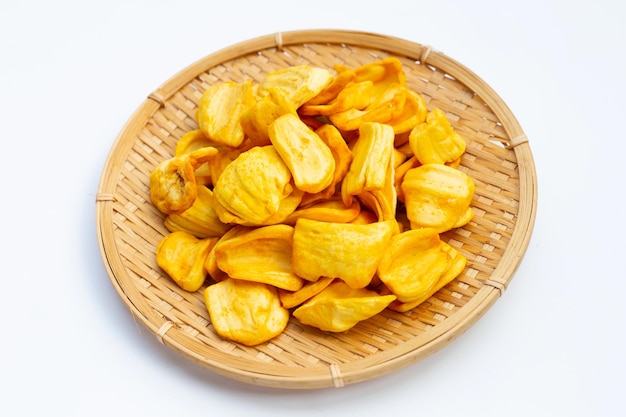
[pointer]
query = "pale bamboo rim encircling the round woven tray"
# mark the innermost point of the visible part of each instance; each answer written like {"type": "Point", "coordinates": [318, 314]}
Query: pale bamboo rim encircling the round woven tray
{"type": "Point", "coordinates": [376, 365]}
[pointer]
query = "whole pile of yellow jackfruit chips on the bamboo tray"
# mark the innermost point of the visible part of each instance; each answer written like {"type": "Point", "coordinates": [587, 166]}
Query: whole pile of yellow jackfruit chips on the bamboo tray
{"type": "Point", "coordinates": [314, 193]}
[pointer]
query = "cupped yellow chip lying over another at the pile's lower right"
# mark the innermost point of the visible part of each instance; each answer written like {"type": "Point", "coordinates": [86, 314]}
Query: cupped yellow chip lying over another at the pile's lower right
{"type": "Point", "coordinates": [413, 263]}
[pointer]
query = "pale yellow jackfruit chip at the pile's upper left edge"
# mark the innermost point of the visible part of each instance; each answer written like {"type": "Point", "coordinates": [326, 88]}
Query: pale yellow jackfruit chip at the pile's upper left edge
{"type": "Point", "coordinates": [220, 109]}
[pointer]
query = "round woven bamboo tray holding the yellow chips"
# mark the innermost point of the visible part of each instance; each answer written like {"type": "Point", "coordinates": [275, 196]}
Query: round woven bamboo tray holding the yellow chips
{"type": "Point", "coordinates": [498, 158]}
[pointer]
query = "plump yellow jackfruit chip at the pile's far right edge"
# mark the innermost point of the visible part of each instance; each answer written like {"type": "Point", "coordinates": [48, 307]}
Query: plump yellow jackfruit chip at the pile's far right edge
{"type": "Point", "coordinates": [437, 196]}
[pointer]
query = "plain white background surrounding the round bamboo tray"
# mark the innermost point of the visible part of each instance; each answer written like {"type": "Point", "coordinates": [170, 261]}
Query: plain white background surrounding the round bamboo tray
{"type": "Point", "coordinates": [73, 72]}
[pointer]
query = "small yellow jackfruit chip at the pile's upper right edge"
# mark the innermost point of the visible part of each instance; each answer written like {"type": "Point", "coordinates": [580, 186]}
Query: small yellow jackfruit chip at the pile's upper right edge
{"type": "Point", "coordinates": [435, 141]}
